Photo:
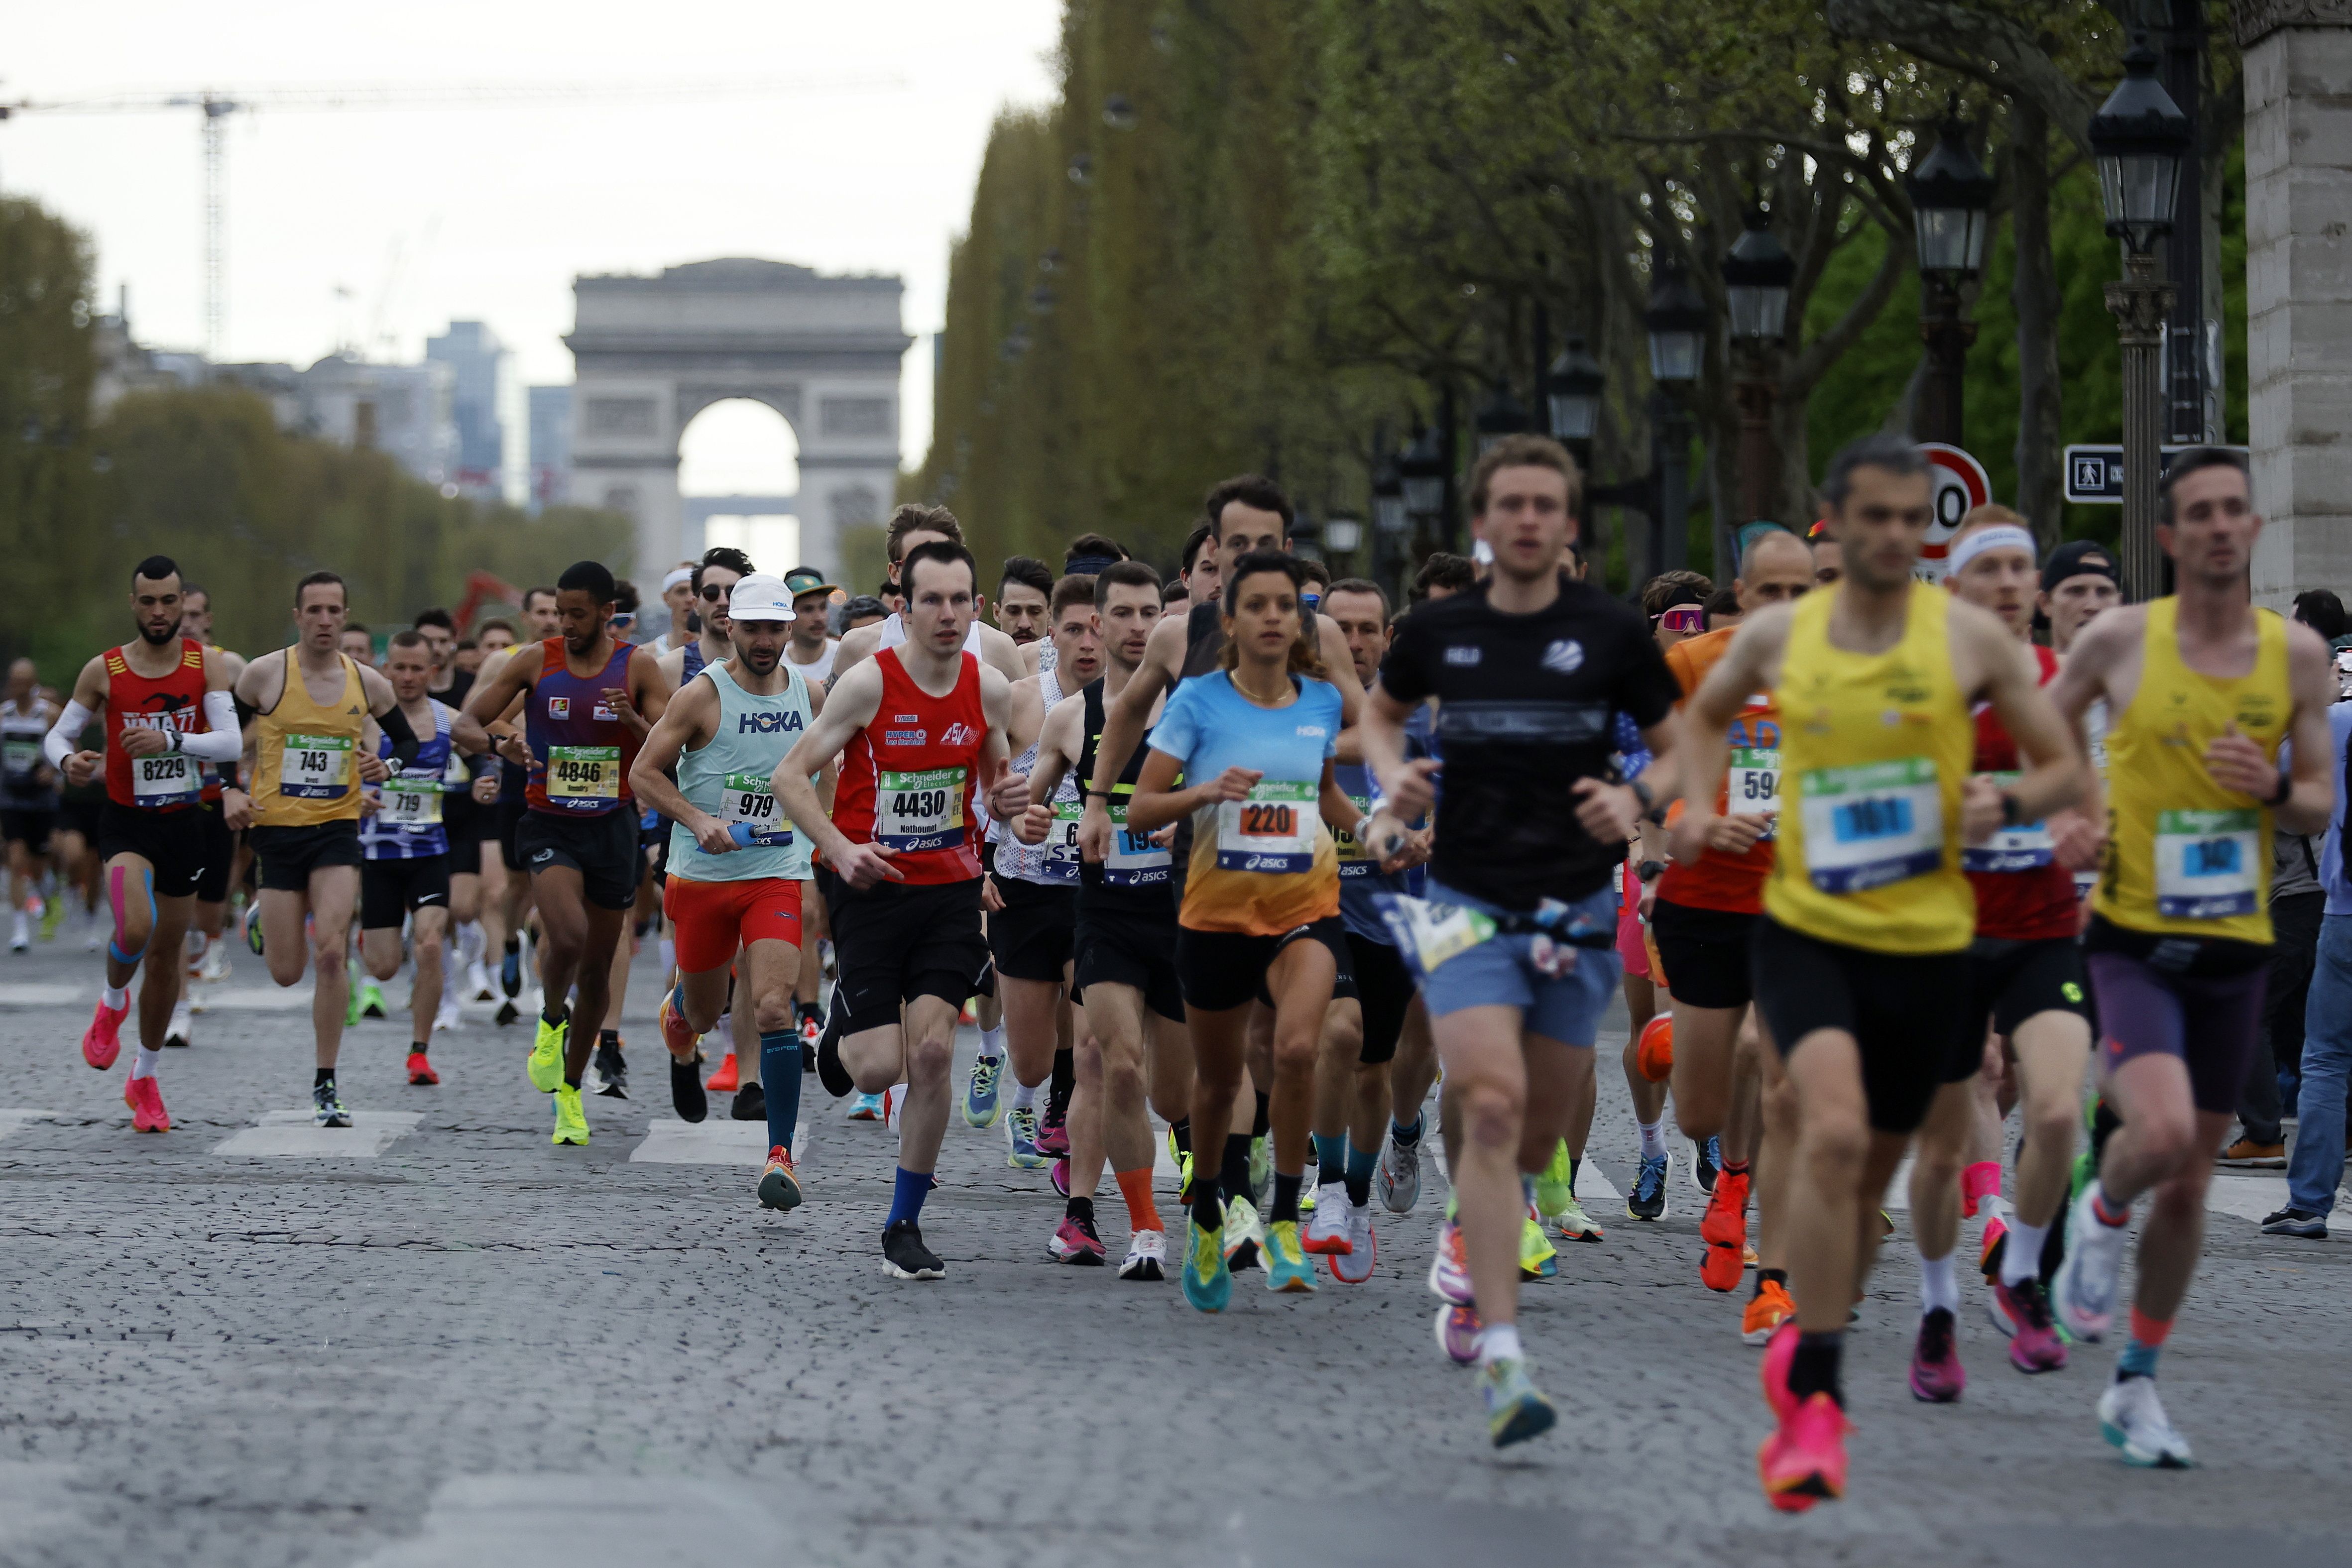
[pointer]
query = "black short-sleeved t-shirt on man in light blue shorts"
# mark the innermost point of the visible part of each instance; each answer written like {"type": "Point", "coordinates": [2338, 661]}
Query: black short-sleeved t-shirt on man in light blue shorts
{"type": "Point", "coordinates": [1523, 713]}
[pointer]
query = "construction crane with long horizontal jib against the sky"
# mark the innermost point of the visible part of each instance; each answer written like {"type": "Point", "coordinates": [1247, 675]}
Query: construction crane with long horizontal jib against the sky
{"type": "Point", "coordinates": [220, 105]}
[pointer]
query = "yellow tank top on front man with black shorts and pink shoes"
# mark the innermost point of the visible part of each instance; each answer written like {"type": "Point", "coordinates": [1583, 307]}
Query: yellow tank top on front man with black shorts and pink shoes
{"type": "Point", "coordinates": [1873, 756]}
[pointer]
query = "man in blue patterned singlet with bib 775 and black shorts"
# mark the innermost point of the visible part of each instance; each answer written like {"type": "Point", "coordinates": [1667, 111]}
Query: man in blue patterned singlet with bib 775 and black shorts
{"type": "Point", "coordinates": [406, 869]}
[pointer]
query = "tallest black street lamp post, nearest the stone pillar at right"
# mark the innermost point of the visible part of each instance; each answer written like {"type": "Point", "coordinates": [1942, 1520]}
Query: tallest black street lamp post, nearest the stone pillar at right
{"type": "Point", "coordinates": [2139, 140]}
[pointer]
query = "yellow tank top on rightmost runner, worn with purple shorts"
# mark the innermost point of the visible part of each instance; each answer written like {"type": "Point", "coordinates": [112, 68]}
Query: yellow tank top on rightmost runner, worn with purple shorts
{"type": "Point", "coordinates": [2184, 855]}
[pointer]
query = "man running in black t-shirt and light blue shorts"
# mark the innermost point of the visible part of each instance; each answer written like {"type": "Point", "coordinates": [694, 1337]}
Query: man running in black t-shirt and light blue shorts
{"type": "Point", "coordinates": [1518, 937]}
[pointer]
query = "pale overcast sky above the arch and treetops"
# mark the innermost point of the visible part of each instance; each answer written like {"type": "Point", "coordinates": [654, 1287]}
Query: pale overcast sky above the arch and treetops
{"type": "Point", "coordinates": [380, 227]}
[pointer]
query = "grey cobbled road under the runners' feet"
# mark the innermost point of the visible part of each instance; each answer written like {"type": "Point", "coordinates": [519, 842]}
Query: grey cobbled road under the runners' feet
{"type": "Point", "coordinates": [474, 1348]}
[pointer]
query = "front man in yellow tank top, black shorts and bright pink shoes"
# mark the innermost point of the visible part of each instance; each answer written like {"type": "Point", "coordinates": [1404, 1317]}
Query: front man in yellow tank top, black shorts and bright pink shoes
{"type": "Point", "coordinates": [1859, 960]}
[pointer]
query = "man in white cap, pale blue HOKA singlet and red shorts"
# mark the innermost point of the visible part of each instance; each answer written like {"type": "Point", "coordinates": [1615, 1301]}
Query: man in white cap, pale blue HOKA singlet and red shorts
{"type": "Point", "coordinates": [737, 864]}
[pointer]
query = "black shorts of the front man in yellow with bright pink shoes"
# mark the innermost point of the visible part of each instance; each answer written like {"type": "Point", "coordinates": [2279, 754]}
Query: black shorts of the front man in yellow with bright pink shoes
{"type": "Point", "coordinates": [1909, 1014]}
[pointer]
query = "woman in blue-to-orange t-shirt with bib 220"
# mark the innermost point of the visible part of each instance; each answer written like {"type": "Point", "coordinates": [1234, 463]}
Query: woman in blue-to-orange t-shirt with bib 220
{"type": "Point", "coordinates": [1259, 916]}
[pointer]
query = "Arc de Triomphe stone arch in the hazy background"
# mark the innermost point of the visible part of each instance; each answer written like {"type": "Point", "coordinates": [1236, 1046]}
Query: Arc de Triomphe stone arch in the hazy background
{"type": "Point", "coordinates": [650, 354]}
